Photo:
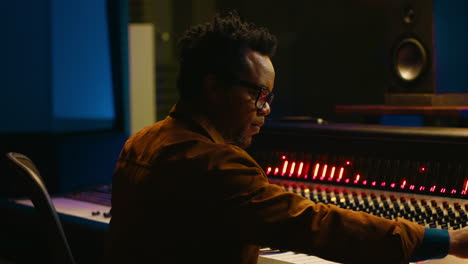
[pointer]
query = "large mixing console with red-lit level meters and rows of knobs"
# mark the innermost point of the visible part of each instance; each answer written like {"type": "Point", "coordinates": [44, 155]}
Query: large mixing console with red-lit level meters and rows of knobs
{"type": "Point", "coordinates": [417, 173]}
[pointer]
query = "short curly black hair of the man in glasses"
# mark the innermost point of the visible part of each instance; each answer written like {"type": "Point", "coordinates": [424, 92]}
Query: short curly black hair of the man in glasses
{"type": "Point", "coordinates": [219, 48]}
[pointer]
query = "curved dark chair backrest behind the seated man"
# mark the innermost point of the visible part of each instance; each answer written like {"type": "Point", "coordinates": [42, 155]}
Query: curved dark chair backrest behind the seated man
{"type": "Point", "coordinates": [30, 179]}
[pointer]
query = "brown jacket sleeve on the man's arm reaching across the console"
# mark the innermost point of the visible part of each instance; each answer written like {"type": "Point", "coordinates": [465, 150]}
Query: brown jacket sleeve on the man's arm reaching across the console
{"type": "Point", "coordinates": [268, 215]}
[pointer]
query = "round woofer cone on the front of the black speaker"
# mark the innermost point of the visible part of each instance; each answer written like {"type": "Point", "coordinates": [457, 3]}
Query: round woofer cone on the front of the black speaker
{"type": "Point", "coordinates": [410, 60]}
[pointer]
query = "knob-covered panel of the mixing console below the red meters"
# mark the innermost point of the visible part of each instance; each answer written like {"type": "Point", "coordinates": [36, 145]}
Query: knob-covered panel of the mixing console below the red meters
{"type": "Point", "coordinates": [435, 212]}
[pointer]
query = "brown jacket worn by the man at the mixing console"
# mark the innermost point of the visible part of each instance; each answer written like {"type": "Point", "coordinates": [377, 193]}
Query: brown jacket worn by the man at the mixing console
{"type": "Point", "coordinates": [182, 195]}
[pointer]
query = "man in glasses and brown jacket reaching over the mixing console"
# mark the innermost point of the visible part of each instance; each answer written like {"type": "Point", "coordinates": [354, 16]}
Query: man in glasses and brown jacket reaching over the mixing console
{"type": "Point", "coordinates": [185, 191]}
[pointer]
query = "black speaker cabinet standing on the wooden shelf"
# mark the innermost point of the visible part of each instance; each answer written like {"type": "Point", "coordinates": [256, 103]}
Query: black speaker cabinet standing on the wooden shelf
{"type": "Point", "coordinates": [410, 56]}
